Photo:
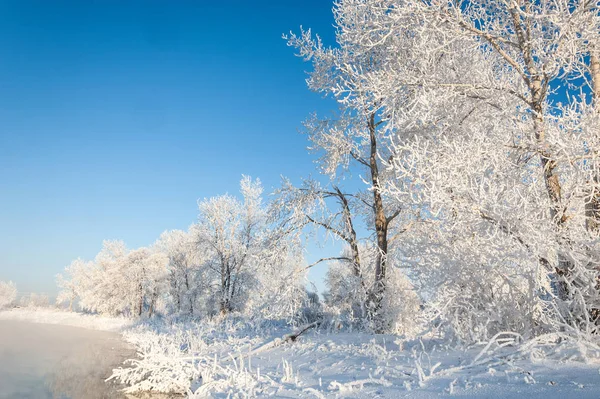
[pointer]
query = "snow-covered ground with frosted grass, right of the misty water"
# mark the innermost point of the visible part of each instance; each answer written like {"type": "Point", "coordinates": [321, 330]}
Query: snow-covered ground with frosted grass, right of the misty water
{"type": "Point", "coordinates": [232, 361]}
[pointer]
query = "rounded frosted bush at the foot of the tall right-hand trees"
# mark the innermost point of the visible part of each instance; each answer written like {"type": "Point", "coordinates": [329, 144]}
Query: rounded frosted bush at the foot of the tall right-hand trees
{"type": "Point", "coordinates": [473, 295]}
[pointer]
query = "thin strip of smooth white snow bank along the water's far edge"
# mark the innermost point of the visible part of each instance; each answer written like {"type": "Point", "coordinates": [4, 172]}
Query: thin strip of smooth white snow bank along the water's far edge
{"type": "Point", "coordinates": [55, 316]}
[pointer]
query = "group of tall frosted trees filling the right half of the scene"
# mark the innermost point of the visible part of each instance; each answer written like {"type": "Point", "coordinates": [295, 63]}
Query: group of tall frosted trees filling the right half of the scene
{"type": "Point", "coordinates": [476, 127]}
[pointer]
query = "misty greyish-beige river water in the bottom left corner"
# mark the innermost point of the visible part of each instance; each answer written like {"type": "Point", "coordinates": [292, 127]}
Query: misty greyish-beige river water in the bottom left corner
{"type": "Point", "coordinates": [54, 361]}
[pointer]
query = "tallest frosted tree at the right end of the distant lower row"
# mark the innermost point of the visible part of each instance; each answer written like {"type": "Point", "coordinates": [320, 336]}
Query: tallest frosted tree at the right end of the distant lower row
{"type": "Point", "coordinates": [245, 251]}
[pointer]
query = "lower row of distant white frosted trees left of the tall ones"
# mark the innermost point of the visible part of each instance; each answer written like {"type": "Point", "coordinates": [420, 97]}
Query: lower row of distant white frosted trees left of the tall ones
{"type": "Point", "coordinates": [236, 258]}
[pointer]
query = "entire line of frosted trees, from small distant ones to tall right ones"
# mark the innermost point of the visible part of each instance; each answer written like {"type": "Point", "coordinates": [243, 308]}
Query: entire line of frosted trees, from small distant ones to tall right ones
{"type": "Point", "coordinates": [473, 131]}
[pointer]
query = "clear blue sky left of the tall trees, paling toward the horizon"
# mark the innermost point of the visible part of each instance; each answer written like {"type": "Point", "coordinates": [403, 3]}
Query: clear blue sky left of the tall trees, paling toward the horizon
{"type": "Point", "coordinates": [117, 116]}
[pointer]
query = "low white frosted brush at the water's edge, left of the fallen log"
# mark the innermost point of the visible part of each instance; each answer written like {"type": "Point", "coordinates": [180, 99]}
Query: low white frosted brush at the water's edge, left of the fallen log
{"type": "Point", "coordinates": [195, 357]}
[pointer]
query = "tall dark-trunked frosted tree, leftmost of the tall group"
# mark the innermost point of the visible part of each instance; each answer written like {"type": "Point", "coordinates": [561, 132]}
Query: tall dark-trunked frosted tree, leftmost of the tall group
{"type": "Point", "coordinates": [356, 140]}
